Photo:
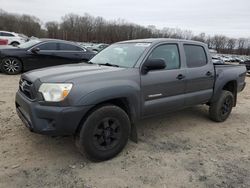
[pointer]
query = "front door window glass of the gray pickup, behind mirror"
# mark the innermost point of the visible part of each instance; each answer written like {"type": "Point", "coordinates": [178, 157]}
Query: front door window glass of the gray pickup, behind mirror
{"type": "Point", "coordinates": [170, 54]}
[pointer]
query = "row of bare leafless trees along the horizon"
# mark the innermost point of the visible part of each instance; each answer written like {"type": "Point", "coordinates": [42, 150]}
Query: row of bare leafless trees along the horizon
{"type": "Point", "coordinates": [88, 28]}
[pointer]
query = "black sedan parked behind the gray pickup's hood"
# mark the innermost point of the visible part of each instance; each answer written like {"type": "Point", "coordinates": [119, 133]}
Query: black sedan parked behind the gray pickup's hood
{"type": "Point", "coordinates": [40, 53]}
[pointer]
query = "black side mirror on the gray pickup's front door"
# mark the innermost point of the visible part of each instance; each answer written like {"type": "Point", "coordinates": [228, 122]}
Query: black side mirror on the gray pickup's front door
{"type": "Point", "coordinates": [153, 64]}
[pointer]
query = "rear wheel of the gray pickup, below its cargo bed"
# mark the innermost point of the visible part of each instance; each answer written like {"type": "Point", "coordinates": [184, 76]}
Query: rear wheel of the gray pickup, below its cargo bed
{"type": "Point", "coordinates": [220, 110]}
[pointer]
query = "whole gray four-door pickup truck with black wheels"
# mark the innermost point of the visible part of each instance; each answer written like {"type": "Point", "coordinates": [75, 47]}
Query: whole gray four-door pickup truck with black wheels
{"type": "Point", "coordinates": [99, 102]}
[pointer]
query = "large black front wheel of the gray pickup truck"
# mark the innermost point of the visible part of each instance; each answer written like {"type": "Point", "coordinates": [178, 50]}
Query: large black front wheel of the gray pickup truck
{"type": "Point", "coordinates": [104, 133]}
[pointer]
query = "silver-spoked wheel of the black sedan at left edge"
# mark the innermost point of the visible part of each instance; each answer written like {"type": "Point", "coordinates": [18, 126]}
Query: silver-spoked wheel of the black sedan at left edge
{"type": "Point", "coordinates": [11, 66]}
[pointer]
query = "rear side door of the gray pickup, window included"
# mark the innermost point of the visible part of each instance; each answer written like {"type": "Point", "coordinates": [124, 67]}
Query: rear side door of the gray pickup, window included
{"type": "Point", "coordinates": [200, 75]}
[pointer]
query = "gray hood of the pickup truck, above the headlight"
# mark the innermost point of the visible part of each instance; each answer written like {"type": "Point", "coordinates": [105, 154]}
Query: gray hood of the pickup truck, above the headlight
{"type": "Point", "coordinates": [68, 73]}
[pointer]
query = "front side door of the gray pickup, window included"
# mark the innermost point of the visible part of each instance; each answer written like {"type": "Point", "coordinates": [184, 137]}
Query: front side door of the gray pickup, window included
{"type": "Point", "coordinates": [163, 90]}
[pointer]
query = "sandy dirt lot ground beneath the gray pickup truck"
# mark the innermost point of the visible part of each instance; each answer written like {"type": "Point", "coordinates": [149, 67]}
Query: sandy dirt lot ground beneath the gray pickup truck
{"type": "Point", "coordinates": [183, 149]}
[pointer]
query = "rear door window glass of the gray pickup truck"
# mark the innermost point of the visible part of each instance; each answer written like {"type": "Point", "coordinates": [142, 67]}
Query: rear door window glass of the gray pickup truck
{"type": "Point", "coordinates": [195, 55]}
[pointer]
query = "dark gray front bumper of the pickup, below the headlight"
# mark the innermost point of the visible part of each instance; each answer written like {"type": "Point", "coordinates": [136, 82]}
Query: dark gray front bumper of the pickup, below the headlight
{"type": "Point", "coordinates": [49, 120]}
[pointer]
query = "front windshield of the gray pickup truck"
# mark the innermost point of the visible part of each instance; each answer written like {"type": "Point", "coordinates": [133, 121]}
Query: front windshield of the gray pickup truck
{"type": "Point", "coordinates": [122, 55]}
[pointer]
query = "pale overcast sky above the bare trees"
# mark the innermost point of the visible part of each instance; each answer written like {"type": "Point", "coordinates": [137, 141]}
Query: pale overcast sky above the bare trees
{"type": "Point", "coordinates": [228, 17]}
